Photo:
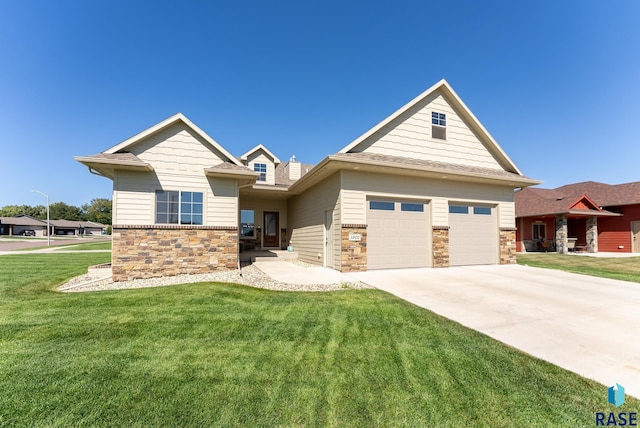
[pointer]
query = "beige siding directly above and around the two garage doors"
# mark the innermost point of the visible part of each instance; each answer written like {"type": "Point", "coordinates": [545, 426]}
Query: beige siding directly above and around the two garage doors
{"type": "Point", "coordinates": [358, 185]}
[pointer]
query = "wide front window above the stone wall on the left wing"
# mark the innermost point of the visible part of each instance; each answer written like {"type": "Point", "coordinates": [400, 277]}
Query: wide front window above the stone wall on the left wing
{"type": "Point", "coordinates": [177, 207]}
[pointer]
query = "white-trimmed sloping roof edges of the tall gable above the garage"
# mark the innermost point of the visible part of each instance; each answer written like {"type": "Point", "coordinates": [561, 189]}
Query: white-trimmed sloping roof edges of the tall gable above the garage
{"type": "Point", "coordinates": [456, 102]}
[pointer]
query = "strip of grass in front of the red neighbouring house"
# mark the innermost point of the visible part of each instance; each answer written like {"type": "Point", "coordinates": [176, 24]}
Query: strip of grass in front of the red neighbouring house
{"type": "Point", "coordinates": [626, 268]}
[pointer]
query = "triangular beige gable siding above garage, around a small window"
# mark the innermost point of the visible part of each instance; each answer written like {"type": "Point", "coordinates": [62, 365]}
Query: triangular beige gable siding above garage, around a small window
{"type": "Point", "coordinates": [410, 136]}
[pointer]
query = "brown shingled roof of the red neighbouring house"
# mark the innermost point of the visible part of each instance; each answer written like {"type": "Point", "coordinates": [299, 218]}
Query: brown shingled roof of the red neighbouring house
{"type": "Point", "coordinates": [579, 198]}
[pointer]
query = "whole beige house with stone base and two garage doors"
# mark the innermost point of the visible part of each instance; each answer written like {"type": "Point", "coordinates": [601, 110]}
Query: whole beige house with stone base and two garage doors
{"type": "Point", "coordinates": [426, 187]}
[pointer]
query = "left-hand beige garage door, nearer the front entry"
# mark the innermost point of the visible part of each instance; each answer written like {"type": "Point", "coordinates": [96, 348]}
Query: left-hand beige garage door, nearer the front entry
{"type": "Point", "coordinates": [398, 234]}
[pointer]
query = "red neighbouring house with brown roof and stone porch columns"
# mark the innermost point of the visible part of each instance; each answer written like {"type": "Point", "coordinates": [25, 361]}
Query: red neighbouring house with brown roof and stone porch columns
{"type": "Point", "coordinates": [586, 216]}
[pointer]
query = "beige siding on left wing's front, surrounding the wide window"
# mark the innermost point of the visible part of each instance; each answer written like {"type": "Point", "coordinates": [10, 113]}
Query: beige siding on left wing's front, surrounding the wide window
{"type": "Point", "coordinates": [178, 158]}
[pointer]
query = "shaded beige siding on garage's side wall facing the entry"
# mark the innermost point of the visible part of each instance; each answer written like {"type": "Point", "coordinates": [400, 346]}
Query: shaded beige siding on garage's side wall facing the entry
{"type": "Point", "coordinates": [306, 220]}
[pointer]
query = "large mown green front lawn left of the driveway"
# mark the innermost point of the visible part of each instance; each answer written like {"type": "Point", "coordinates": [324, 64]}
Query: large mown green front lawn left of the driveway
{"type": "Point", "coordinates": [227, 355]}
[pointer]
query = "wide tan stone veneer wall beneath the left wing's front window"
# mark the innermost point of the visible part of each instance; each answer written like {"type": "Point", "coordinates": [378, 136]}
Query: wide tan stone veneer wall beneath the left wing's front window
{"type": "Point", "coordinates": [168, 250]}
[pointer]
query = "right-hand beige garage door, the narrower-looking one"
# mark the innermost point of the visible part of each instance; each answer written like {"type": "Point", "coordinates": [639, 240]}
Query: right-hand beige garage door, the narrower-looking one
{"type": "Point", "coordinates": [473, 235]}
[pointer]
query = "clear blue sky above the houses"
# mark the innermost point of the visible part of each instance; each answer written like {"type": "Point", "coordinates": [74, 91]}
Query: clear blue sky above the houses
{"type": "Point", "coordinates": [557, 83]}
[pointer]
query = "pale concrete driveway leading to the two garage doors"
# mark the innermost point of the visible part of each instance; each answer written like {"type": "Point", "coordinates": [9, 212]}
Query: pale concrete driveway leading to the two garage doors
{"type": "Point", "coordinates": [588, 325]}
